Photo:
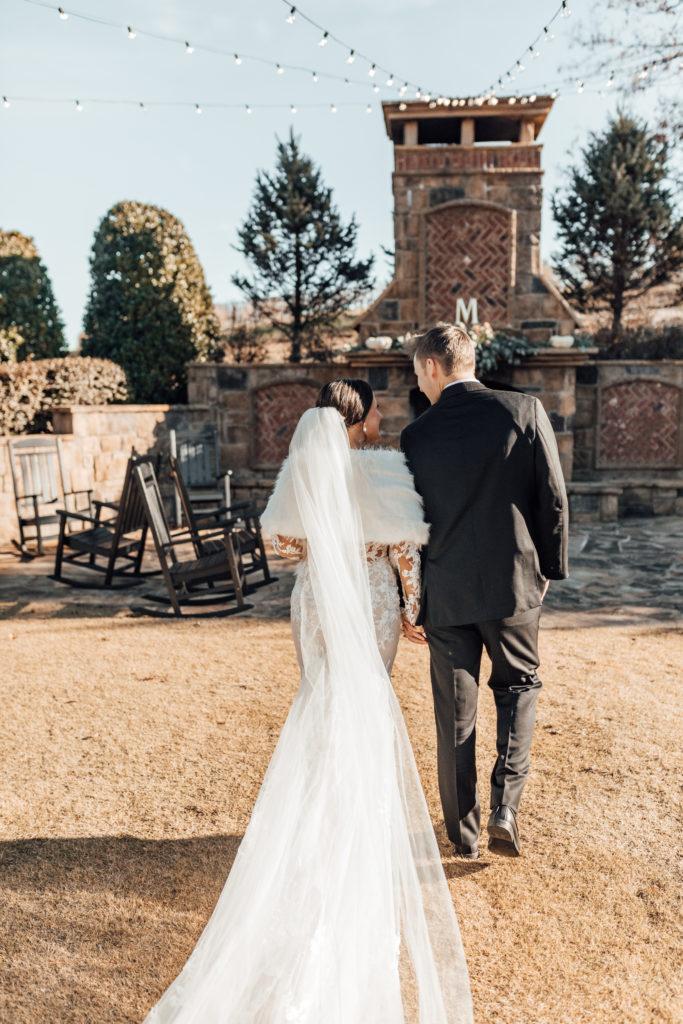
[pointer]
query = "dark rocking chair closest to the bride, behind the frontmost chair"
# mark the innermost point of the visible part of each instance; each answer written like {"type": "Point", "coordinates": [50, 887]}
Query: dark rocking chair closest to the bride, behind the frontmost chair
{"type": "Point", "coordinates": [241, 517]}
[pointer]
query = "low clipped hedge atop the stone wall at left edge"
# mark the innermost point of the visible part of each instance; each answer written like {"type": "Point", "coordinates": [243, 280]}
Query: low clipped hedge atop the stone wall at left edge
{"type": "Point", "coordinates": [29, 391]}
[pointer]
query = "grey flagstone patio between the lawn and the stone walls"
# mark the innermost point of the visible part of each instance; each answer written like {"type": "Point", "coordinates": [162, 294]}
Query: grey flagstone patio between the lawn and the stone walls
{"type": "Point", "coordinates": [624, 573]}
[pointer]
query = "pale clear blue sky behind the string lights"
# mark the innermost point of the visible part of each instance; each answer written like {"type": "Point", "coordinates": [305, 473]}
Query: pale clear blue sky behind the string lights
{"type": "Point", "coordinates": [63, 170]}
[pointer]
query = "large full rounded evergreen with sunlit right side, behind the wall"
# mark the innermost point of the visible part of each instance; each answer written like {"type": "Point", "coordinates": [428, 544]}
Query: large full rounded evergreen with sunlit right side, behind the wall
{"type": "Point", "coordinates": [150, 309]}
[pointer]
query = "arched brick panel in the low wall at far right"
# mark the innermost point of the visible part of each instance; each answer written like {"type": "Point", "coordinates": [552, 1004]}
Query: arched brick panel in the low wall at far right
{"type": "Point", "coordinates": [639, 425]}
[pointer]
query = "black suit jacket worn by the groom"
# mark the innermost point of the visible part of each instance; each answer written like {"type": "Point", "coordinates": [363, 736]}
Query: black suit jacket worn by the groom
{"type": "Point", "coordinates": [488, 468]}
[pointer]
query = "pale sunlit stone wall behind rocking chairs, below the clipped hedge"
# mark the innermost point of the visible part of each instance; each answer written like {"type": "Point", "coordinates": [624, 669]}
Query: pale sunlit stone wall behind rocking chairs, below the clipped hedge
{"type": "Point", "coordinates": [96, 444]}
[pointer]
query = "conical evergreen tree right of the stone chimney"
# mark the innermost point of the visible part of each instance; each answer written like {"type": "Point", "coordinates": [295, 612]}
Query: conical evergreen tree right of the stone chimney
{"type": "Point", "coordinates": [620, 232]}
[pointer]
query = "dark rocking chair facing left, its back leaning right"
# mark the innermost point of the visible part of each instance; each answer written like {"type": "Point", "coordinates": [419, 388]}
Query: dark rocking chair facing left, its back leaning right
{"type": "Point", "coordinates": [120, 539]}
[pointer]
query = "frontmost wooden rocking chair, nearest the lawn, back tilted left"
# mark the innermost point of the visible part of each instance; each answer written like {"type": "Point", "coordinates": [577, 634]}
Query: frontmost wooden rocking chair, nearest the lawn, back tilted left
{"type": "Point", "coordinates": [193, 582]}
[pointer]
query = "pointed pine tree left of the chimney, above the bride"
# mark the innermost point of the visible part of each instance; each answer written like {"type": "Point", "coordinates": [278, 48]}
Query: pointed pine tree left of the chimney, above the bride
{"type": "Point", "coordinates": [303, 257]}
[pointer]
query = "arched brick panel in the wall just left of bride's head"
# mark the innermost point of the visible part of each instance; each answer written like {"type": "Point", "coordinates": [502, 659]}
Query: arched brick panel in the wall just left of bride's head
{"type": "Point", "coordinates": [277, 409]}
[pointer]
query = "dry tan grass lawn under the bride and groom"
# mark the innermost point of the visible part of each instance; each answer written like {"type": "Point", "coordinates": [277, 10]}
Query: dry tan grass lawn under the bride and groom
{"type": "Point", "coordinates": [133, 752]}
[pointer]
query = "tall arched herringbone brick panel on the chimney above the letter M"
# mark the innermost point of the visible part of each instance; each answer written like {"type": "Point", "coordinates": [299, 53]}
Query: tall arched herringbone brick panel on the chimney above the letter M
{"type": "Point", "coordinates": [468, 252]}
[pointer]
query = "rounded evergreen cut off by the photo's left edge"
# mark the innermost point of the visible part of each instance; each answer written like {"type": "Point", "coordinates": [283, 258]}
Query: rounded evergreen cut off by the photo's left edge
{"type": "Point", "coordinates": [28, 311]}
